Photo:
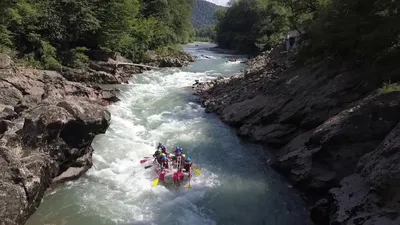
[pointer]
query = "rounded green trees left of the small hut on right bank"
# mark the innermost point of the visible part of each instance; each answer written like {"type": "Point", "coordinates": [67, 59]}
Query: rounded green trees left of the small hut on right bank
{"type": "Point", "coordinates": [252, 25]}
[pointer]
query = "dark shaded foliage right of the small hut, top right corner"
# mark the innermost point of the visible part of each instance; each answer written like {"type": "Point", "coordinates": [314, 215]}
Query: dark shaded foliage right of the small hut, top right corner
{"type": "Point", "coordinates": [356, 32]}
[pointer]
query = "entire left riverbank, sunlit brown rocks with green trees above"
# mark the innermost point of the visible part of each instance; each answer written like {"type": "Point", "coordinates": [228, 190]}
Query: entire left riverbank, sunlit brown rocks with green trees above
{"type": "Point", "coordinates": [53, 55]}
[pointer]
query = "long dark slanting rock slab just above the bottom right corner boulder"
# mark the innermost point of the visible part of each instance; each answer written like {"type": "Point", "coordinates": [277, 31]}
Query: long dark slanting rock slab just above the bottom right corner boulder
{"type": "Point", "coordinates": [334, 148]}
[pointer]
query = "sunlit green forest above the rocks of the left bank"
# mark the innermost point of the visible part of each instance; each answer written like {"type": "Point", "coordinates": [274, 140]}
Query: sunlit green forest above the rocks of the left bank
{"type": "Point", "coordinates": [50, 33]}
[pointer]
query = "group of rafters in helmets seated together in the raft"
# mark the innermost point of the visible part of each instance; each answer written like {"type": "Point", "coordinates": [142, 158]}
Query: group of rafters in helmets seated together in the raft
{"type": "Point", "coordinates": [179, 160]}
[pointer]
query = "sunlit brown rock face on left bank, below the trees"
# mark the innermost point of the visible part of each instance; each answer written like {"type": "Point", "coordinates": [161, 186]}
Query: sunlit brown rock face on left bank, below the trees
{"type": "Point", "coordinates": [47, 125]}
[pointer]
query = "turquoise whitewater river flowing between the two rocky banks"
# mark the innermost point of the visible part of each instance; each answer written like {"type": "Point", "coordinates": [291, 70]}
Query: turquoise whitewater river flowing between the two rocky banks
{"type": "Point", "coordinates": [235, 186]}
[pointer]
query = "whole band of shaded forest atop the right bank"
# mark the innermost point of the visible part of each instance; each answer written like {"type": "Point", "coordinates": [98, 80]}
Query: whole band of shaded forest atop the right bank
{"type": "Point", "coordinates": [355, 31]}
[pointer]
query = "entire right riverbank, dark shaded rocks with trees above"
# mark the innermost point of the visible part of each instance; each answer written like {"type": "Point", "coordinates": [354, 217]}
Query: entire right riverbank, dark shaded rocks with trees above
{"type": "Point", "coordinates": [328, 107]}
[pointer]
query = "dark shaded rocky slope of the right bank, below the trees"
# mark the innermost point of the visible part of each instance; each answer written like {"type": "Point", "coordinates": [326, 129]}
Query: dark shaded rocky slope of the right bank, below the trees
{"type": "Point", "coordinates": [335, 131]}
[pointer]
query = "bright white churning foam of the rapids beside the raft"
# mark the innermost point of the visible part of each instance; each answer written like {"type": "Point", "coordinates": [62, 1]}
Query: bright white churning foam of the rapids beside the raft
{"type": "Point", "coordinates": [123, 188]}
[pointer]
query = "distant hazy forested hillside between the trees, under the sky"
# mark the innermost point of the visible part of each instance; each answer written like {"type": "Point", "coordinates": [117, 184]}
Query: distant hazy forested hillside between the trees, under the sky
{"type": "Point", "coordinates": [203, 13]}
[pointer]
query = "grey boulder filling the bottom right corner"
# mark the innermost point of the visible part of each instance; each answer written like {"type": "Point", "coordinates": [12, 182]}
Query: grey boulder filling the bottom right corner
{"type": "Point", "coordinates": [371, 196]}
